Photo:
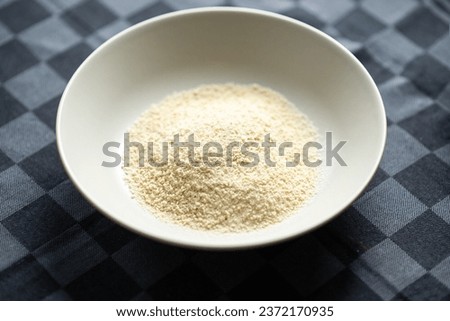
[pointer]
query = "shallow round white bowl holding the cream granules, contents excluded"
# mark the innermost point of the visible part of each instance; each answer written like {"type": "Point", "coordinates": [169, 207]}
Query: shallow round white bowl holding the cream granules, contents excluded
{"type": "Point", "coordinates": [182, 50]}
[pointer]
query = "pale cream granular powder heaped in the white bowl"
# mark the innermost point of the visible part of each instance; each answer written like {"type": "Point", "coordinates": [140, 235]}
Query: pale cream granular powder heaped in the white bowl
{"type": "Point", "coordinates": [229, 197]}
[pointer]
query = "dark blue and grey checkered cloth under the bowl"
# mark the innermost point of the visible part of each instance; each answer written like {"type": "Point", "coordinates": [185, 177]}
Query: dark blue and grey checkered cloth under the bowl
{"type": "Point", "coordinates": [392, 244]}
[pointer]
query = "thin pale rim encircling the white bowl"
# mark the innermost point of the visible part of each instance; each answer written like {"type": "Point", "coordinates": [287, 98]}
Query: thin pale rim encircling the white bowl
{"type": "Point", "coordinates": [169, 239]}
